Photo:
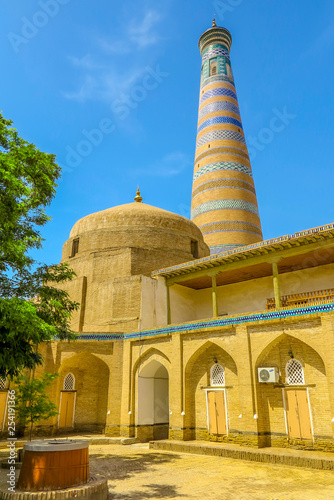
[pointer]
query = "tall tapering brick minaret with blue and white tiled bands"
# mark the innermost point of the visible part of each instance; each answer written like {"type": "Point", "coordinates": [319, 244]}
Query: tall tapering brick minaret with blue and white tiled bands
{"type": "Point", "coordinates": [224, 203]}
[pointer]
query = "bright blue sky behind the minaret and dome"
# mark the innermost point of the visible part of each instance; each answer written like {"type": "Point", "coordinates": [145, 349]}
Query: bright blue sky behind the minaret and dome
{"type": "Point", "coordinates": [112, 89]}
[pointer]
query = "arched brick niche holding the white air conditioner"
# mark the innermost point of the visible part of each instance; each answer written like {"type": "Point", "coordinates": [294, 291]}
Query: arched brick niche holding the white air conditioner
{"type": "Point", "coordinates": [273, 401]}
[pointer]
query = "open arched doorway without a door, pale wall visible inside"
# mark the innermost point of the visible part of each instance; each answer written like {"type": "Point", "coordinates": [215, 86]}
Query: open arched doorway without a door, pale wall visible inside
{"type": "Point", "coordinates": [153, 402]}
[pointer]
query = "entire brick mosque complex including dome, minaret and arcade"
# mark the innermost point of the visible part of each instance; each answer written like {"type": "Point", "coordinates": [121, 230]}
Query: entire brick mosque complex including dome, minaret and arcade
{"type": "Point", "coordinates": [199, 329]}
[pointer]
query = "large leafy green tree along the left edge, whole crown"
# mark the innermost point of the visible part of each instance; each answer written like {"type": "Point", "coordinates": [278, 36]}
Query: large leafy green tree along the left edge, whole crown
{"type": "Point", "coordinates": [33, 309]}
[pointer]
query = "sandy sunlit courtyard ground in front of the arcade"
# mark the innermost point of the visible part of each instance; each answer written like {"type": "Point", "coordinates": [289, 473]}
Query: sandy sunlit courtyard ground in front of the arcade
{"type": "Point", "coordinates": [135, 472]}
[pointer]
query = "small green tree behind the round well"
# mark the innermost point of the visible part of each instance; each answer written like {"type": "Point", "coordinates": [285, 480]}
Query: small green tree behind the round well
{"type": "Point", "coordinates": [32, 403]}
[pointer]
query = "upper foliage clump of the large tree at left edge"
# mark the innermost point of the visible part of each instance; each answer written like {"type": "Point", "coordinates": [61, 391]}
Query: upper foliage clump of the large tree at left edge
{"type": "Point", "coordinates": [27, 185]}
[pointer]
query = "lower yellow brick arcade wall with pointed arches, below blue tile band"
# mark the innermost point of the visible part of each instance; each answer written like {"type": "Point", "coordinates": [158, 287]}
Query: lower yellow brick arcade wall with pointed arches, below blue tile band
{"type": "Point", "coordinates": [106, 379]}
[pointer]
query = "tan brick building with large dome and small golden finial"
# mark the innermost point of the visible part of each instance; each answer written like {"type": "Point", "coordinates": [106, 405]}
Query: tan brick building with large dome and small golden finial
{"type": "Point", "coordinates": [113, 254]}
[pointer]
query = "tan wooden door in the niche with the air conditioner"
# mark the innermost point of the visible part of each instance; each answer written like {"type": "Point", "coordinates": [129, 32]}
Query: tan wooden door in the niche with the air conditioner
{"type": "Point", "coordinates": [298, 414]}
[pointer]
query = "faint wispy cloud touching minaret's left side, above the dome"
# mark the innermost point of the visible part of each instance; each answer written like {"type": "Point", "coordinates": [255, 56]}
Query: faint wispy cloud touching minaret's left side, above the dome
{"type": "Point", "coordinates": [170, 165]}
